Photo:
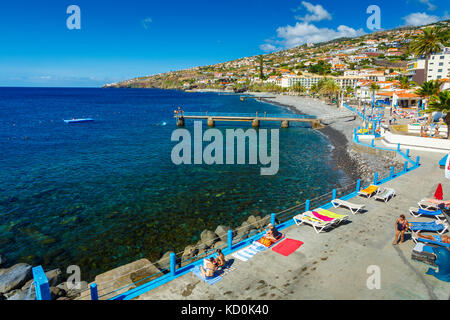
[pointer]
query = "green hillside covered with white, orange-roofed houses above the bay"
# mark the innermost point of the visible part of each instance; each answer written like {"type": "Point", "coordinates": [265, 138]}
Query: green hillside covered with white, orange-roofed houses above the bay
{"type": "Point", "coordinates": [349, 65]}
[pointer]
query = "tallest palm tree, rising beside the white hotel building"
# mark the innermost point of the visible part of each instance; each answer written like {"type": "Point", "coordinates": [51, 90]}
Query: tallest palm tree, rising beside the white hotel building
{"type": "Point", "coordinates": [430, 41]}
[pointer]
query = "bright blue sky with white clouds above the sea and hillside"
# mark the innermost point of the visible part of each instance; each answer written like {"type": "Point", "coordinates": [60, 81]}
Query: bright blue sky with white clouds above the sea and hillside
{"type": "Point", "coordinates": [124, 39]}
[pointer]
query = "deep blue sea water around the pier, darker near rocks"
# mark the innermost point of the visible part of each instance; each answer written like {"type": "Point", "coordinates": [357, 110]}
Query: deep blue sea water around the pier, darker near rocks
{"type": "Point", "coordinates": [105, 193]}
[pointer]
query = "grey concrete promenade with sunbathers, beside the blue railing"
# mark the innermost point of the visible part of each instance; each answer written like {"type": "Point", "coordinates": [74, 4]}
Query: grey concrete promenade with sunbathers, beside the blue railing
{"type": "Point", "coordinates": [333, 265]}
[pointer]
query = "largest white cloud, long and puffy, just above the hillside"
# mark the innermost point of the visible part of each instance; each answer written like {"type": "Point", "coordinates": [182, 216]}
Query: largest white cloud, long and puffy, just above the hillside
{"type": "Point", "coordinates": [304, 32]}
